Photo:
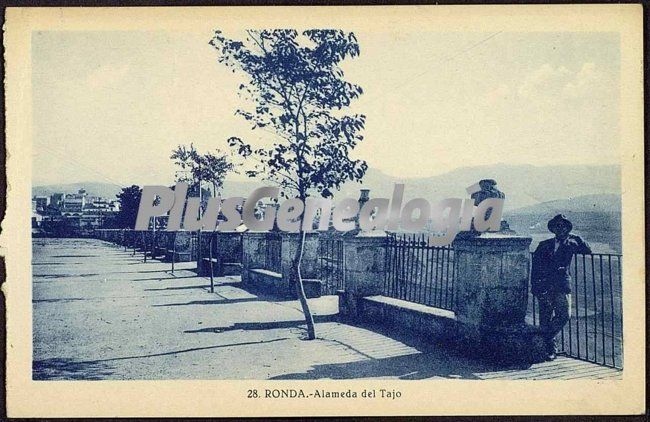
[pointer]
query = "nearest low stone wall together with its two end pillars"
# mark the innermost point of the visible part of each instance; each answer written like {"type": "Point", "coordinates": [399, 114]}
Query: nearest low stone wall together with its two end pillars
{"type": "Point", "coordinates": [492, 292]}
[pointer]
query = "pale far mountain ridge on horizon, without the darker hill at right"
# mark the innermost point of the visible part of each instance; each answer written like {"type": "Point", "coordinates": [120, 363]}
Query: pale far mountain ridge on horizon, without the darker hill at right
{"type": "Point", "coordinates": [524, 185]}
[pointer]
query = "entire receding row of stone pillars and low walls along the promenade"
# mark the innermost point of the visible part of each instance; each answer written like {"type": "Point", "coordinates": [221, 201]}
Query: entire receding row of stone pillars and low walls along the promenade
{"type": "Point", "coordinates": [491, 283]}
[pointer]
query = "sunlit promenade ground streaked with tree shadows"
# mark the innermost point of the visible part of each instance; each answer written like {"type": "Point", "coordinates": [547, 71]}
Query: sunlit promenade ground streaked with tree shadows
{"type": "Point", "coordinates": [102, 313]}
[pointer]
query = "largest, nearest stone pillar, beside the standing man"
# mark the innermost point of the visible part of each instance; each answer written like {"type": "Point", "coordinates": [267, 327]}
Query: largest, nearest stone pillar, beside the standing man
{"type": "Point", "coordinates": [491, 288]}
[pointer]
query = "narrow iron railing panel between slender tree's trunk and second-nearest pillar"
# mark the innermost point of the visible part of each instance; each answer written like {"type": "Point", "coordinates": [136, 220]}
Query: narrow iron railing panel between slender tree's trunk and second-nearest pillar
{"type": "Point", "coordinates": [331, 264]}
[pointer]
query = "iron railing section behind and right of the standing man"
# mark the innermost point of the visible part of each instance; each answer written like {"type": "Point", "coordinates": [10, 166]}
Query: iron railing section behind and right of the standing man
{"type": "Point", "coordinates": [595, 331]}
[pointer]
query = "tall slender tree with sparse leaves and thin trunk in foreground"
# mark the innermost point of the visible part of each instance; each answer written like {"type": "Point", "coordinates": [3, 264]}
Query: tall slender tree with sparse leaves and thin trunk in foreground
{"type": "Point", "coordinates": [296, 85]}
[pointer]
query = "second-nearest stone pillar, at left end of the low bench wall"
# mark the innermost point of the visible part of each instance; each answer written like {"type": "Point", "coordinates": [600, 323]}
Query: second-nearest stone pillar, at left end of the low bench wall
{"type": "Point", "coordinates": [365, 259]}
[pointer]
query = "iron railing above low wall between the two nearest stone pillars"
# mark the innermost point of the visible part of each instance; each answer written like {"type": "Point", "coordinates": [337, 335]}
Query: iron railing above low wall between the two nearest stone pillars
{"type": "Point", "coordinates": [418, 272]}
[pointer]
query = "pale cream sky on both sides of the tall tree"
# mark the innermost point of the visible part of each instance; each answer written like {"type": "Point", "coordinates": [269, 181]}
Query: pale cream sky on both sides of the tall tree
{"type": "Point", "coordinates": [110, 106]}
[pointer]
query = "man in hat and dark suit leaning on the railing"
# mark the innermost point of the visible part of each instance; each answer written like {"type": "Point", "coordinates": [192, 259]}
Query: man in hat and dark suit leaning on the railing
{"type": "Point", "coordinates": [550, 278]}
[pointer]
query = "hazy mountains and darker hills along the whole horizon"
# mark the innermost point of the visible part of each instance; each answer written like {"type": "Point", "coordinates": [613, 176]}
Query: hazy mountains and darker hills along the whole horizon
{"type": "Point", "coordinates": [588, 195]}
